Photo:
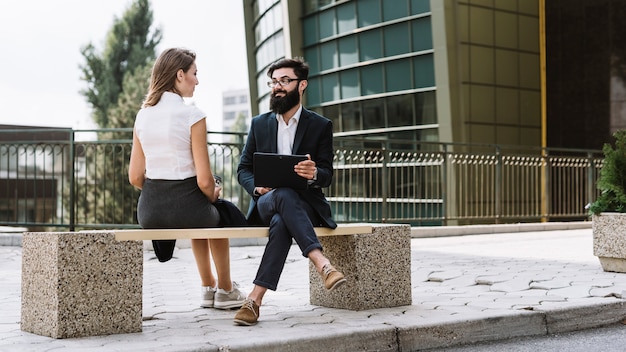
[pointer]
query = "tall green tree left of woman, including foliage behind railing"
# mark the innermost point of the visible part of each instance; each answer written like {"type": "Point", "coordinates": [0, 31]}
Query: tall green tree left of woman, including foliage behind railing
{"type": "Point", "coordinates": [117, 81]}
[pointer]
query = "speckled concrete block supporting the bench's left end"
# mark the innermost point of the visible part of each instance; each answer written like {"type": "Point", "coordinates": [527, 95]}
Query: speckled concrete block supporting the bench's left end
{"type": "Point", "coordinates": [80, 284]}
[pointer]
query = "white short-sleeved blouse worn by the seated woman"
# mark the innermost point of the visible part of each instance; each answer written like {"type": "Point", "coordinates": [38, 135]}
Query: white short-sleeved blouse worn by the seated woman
{"type": "Point", "coordinates": [164, 131]}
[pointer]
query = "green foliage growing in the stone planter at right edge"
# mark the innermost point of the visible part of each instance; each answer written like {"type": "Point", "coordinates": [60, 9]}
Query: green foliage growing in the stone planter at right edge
{"type": "Point", "coordinates": [612, 180]}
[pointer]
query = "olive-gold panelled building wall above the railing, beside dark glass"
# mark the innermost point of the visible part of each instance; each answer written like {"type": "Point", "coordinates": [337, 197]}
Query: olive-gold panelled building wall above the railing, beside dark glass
{"type": "Point", "coordinates": [488, 70]}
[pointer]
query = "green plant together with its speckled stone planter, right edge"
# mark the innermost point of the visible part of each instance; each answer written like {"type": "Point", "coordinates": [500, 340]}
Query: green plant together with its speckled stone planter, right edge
{"type": "Point", "coordinates": [608, 212]}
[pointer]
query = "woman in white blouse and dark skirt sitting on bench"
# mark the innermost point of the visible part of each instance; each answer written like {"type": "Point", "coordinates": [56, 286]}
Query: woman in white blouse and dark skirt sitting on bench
{"type": "Point", "coordinates": [169, 162]}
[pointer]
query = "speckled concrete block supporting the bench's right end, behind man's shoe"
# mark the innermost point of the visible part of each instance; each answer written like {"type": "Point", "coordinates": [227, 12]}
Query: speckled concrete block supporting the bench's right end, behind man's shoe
{"type": "Point", "coordinates": [377, 268]}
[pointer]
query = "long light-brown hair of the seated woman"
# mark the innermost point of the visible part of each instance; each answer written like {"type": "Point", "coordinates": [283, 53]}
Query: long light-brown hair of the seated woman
{"type": "Point", "coordinates": [164, 72]}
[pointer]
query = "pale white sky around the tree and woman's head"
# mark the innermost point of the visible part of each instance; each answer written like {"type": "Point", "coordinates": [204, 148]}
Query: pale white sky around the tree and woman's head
{"type": "Point", "coordinates": [41, 40]}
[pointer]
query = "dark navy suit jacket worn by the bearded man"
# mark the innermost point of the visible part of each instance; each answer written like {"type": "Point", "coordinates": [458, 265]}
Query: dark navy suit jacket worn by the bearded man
{"type": "Point", "coordinates": [314, 136]}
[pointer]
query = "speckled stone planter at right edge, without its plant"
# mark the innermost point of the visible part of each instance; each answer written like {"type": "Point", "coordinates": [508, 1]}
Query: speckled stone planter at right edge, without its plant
{"type": "Point", "coordinates": [609, 241]}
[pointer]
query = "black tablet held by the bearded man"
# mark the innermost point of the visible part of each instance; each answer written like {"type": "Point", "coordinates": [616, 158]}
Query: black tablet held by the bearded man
{"type": "Point", "coordinates": [276, 170]}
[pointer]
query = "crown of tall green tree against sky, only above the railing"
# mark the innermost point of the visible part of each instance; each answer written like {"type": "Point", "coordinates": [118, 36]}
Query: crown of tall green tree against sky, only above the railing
{"type": "Point", "coordinates": [130, 44]}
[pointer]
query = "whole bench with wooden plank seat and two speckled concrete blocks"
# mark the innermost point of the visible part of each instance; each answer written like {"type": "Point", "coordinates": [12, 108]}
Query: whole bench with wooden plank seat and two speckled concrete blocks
{"type": "Point", "coordinates": [88, 283]}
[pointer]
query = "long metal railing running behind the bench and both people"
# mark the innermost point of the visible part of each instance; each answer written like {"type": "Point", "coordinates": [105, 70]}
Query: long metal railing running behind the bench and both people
{"type": "Point", "coordinates": [74, 184]}
